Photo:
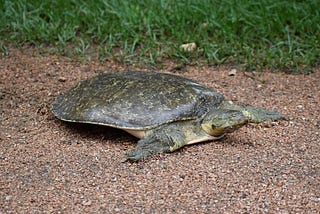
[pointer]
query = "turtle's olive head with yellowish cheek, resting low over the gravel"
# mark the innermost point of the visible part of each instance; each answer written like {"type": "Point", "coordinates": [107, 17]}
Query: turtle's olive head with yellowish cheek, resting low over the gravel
{"type": "Point", "coordinates": [220, 121]}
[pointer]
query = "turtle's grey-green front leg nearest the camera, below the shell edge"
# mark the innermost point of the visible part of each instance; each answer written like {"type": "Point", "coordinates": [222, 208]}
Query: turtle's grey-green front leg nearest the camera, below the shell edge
{"type": "Point", "coordinates": [163, 139]}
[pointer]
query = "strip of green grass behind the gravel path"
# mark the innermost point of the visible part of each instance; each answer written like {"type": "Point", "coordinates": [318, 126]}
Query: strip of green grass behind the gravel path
{"type": "Point", "coordinates": [275, 34]}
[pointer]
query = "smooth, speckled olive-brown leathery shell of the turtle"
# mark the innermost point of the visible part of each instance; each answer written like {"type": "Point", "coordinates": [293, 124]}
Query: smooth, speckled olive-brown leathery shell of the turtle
{"type": "Point", "coordinates": [135, 100]}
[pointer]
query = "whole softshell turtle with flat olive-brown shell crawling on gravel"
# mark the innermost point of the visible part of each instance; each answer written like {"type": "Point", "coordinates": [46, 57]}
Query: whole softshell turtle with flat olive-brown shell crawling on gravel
{"type": "Point", "coordinates": [165, 111]}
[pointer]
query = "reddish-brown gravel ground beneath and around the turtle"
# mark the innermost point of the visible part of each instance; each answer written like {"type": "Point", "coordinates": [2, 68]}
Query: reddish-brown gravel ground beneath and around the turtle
{"type": "Point", "coordinates": [50, 166]}
